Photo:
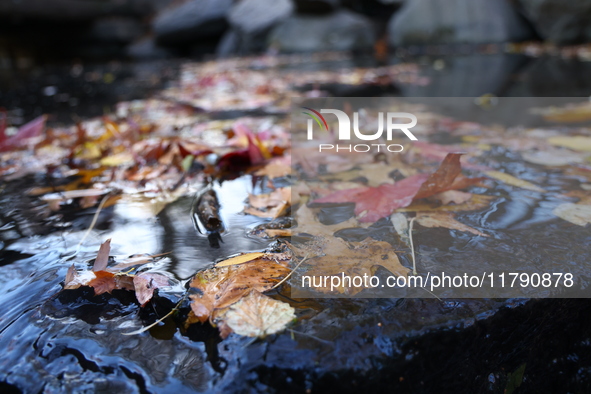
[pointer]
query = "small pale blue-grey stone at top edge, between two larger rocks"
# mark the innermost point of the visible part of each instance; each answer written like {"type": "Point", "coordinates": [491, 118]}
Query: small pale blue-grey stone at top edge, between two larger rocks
{"type": "Point", "coordinates": [250, 16]}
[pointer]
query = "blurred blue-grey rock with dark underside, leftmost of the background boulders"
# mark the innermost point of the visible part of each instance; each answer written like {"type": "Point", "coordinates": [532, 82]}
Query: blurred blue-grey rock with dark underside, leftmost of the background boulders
{"type": "Point", "coordinates": [191, 21]}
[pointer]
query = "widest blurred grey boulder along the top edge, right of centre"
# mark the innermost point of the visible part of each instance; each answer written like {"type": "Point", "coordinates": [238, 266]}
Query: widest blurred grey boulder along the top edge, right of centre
{"type": "Point", "coordinates": [457, 21]}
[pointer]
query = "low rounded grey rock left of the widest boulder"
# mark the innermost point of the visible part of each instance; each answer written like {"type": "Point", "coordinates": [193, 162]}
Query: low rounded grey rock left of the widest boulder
{"type": "Point", "coordinates": [340, 31]}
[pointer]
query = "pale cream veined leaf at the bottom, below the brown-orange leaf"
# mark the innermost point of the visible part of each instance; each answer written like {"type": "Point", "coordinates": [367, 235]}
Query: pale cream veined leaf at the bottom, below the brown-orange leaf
{"type": "Point", "coordinates": [257, 315]}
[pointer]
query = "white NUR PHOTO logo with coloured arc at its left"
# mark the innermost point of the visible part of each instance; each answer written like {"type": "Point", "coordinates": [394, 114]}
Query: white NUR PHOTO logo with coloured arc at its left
{"type": "Point", "coordinates": [344, 130]}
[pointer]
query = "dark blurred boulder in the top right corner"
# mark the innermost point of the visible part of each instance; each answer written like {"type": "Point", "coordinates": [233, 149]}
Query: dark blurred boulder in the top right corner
{"type": "Point", "coordinates": [560, 21]}
